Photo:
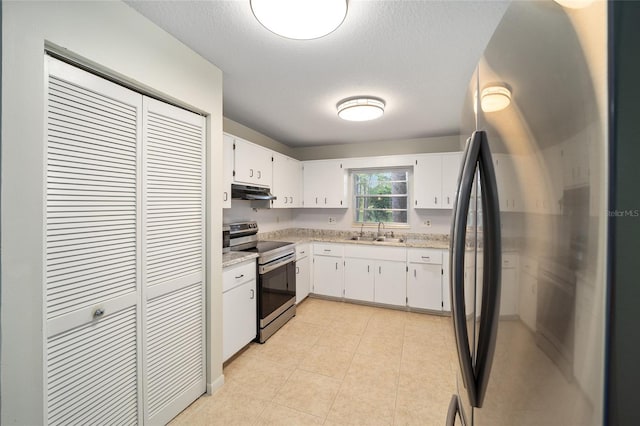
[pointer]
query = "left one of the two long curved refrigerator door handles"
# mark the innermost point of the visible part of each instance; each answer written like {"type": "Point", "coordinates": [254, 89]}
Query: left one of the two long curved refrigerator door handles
{"type": "Point", "coordinates": [456, 256]}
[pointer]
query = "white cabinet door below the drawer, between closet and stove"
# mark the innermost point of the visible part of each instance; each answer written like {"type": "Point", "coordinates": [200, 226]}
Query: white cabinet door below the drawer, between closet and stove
{"type": "Point", "coordinates": [239, 313]}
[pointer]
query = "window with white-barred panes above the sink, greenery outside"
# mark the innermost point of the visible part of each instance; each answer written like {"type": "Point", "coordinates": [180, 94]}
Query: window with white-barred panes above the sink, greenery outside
{"type": "Point", "coordinates": [381, 196]}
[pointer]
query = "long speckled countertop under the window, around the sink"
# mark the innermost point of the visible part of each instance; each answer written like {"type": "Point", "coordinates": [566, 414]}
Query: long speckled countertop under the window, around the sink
{"type": "Point", "coordinates": [303, 235]}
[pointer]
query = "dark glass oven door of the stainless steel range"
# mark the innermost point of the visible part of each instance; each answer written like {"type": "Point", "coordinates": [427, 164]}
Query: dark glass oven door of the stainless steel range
{"type": "Point", "coordinates": [276, 290]}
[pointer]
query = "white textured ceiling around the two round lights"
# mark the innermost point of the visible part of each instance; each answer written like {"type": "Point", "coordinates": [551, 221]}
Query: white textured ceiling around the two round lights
{"type": "Point", "coordinates": [416, 55]}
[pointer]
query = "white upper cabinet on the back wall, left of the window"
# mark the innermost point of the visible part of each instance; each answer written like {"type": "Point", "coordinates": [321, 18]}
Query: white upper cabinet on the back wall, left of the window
{"type": "Point", "coordinates": [325, 184]}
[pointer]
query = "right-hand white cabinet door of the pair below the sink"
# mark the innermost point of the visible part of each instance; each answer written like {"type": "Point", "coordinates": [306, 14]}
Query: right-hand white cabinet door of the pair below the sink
{"type": "Point", "coordinates": [390, 282]}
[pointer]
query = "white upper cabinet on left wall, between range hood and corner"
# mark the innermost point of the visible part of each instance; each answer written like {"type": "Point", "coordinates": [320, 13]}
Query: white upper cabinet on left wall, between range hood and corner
{"type": "Point", "coordinates": [287, 182]}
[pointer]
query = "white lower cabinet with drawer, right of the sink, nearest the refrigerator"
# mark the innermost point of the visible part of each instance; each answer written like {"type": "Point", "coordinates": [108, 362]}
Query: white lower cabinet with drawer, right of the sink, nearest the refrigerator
{"type": "Point", "coordinates": [424, 282]}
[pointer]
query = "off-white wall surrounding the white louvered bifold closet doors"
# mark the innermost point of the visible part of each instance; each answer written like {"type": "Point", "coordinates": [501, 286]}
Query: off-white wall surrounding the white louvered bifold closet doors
{"type": "Point", "coordinates": [115, 38]}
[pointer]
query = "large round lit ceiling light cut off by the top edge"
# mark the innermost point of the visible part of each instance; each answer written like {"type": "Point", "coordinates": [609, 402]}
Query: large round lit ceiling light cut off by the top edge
{"type": "Point", "coordinates": [300, 19]}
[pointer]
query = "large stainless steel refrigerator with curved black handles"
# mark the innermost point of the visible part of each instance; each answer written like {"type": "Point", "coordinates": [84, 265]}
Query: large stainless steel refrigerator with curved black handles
{"type": "Point", "coordinates": [528, 239]}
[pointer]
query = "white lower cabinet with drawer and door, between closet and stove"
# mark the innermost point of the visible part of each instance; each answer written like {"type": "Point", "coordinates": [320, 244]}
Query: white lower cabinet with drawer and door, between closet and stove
{"type": "Point", "coordinates": [239, 309]}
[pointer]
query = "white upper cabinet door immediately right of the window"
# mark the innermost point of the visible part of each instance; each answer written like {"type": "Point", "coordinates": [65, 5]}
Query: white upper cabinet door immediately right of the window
{"type": "Point", "coordinates": [427, 182]}
